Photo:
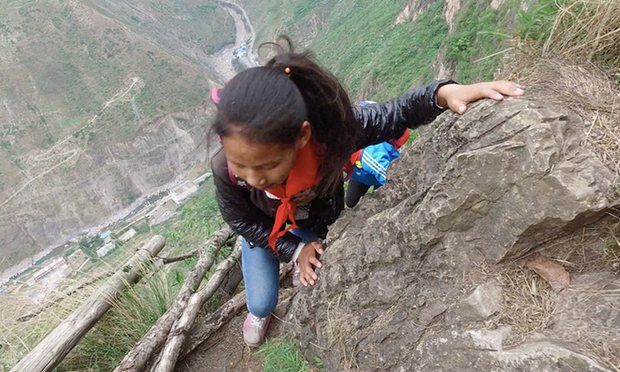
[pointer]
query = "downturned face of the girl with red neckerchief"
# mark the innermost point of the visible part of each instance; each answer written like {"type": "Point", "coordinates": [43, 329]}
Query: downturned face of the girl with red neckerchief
{"type": "Point", "coordinates": [262, 164]}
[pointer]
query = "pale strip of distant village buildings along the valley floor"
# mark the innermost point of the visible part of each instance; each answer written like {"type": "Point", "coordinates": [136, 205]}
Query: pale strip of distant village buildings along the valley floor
{"type": "Point", "coordinates": [47, 278]}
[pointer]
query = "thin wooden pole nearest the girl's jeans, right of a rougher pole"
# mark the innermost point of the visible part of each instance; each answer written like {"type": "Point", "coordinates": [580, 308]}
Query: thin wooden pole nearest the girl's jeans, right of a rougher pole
{"type": "Point", "coordinates": [179, 331]}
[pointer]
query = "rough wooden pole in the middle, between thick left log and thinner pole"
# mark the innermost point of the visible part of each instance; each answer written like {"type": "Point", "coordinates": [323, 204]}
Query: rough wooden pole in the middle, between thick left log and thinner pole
{"type": "Point", "coordinates": [140, 354]}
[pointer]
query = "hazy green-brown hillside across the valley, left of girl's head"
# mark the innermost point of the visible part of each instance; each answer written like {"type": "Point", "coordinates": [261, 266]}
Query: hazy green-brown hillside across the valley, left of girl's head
{"type": "Point", "coordinates": [96, 111]}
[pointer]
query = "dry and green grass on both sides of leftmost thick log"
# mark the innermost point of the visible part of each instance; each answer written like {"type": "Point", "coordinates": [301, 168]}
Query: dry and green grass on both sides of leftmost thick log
{"type": "Point", "coordinates": [24, 322]}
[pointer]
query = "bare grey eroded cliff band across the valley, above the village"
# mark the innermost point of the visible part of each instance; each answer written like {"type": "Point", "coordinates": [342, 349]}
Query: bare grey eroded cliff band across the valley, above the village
{"type": "Point", "coordinates": [101, 182]}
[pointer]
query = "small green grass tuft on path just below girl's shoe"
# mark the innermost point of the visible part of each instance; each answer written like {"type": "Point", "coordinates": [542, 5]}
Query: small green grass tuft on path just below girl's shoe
{"type": "Point", "coordinates": [282, 355]}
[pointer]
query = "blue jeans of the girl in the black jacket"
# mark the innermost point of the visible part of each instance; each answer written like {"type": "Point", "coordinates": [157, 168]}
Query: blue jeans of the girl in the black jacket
{"type": "Point", "coordinates": [261, 272]}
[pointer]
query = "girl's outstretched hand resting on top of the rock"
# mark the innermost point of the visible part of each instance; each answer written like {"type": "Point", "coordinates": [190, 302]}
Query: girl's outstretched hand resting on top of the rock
{"type": "Point", "coordinates": [456, 97]}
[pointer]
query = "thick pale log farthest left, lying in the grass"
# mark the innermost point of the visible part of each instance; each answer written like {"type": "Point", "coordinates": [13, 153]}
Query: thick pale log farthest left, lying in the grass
{"type": "Point", "coordinates": [58, 343]}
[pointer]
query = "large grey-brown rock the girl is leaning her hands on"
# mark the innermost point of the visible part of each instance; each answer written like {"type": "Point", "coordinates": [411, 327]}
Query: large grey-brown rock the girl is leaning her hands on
{"type": "Point", "coordinates": [410, 276]}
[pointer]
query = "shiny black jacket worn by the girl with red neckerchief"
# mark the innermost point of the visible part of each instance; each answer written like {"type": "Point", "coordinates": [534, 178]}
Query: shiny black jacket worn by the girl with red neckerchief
{"type": "Point", "coordinates": [249, 211]}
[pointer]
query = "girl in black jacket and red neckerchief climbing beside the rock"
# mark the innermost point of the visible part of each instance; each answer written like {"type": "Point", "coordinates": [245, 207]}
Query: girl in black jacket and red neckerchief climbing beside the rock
{"type": "Point", "coordinates": [287, 129]}
